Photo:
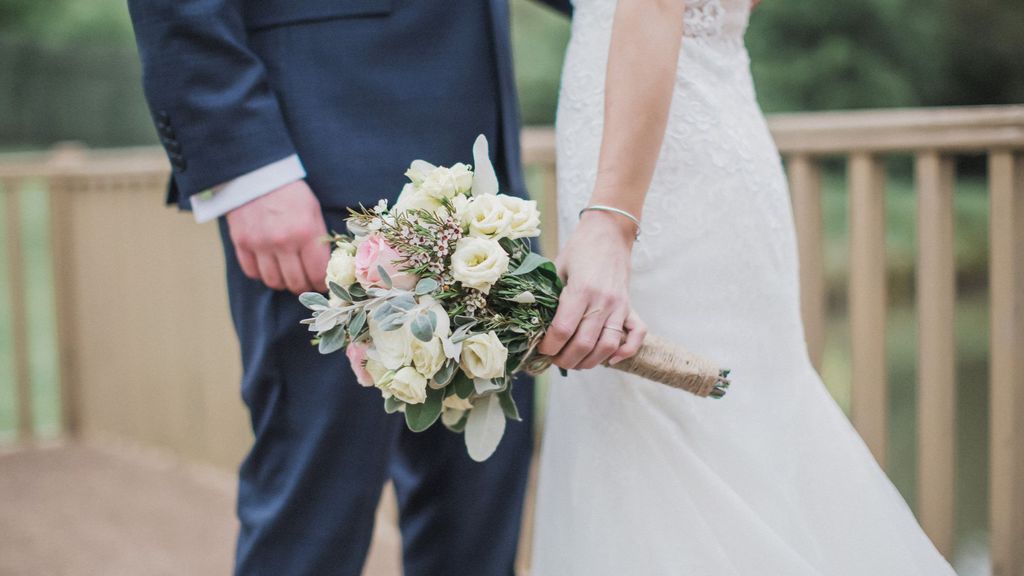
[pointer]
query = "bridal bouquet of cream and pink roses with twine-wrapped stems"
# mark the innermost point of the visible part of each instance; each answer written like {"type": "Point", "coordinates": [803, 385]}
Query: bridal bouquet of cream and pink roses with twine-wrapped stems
{"type": "Point", "coordinates": [439, 302]}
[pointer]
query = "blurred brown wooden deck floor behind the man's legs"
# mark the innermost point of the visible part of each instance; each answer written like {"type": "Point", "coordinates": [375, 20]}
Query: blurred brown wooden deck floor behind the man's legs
{"type": "Point", "coordinates": [72, 510]}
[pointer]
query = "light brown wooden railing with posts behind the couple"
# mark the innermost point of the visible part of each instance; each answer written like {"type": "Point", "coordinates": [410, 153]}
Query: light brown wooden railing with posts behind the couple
{"type": "Point", "coordinates": [147, 350]}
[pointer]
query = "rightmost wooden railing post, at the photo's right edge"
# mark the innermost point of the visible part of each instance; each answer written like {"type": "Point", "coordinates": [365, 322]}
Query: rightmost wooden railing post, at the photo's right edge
{"type": "Point", "coordinates": [1007, 400]}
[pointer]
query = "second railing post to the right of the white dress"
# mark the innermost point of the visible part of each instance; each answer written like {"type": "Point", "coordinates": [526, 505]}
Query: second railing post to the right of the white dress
{"type": "Point", "coordinates": [870, 396]}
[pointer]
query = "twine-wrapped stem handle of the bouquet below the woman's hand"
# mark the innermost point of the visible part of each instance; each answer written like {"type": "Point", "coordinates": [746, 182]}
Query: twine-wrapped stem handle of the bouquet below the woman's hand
{"type": "Point", "coordinates": [667, 363]}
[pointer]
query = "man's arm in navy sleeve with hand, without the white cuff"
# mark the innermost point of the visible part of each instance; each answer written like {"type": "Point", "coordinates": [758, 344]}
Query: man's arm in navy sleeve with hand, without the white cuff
{"type": "Point", "coordinates": [219, 119]}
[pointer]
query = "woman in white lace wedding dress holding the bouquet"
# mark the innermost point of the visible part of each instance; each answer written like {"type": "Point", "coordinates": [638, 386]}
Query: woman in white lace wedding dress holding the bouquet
{"type": "Point", "coordinates": [675, 211]}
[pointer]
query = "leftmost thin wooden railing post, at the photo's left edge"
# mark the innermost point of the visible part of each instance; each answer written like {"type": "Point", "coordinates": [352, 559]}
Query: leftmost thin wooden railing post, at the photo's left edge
{"type": "Point", "coordinates": [19, 313]}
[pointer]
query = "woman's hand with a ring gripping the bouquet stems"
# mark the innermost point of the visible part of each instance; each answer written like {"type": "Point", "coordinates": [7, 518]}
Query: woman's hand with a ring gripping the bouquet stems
{"type": "Point", "coordinates": [595, 323]}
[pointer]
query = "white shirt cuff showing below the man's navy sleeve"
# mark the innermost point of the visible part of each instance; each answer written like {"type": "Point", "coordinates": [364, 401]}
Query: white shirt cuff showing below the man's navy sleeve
{"type": "Point", "coordinates": [225, 198]}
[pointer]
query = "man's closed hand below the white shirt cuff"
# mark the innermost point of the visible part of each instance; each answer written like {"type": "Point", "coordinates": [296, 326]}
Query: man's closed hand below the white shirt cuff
{"type": "Point", "coordinates": [280, 239]}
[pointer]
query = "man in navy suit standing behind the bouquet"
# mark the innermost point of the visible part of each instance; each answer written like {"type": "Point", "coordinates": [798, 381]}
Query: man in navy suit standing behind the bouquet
{"type": "Point", "coordinates": [277, 116]}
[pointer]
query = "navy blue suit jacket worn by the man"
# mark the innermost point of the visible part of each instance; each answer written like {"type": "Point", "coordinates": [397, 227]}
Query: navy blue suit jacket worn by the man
{"type": "Point", "coordinates": [358, 89]}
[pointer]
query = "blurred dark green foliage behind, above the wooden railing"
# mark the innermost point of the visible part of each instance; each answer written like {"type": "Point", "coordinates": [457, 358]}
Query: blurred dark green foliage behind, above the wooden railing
{"type": "Point", "coordinates": [68, 68]}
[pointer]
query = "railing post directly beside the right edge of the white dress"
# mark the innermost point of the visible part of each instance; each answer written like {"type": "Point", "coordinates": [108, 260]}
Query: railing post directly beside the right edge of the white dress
{"type": "Point", "coordinates": [805, 184]}
